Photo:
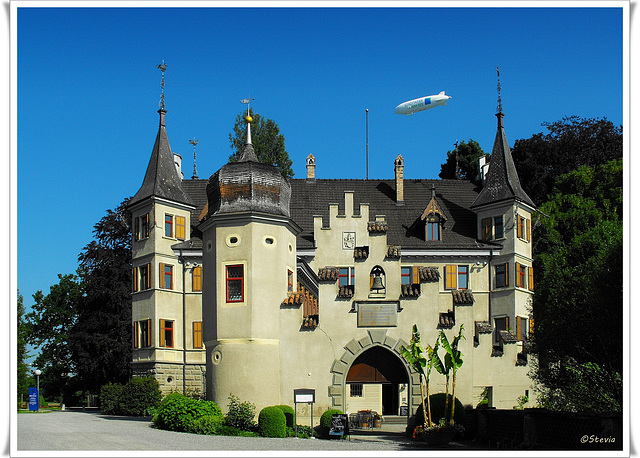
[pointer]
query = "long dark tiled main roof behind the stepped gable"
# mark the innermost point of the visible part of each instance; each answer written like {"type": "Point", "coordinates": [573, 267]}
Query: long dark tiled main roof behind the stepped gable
{"type": "Point", "coordinates": [404, 228]}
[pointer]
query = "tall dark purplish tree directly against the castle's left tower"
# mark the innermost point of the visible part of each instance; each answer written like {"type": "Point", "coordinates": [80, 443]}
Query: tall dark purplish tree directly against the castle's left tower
{"type": "Point", "coordinates": [100, 341]}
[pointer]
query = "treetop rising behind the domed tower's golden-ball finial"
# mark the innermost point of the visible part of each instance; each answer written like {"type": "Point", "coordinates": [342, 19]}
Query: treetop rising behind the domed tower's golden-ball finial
{"type": "Point", "coordinates": [268, 142]}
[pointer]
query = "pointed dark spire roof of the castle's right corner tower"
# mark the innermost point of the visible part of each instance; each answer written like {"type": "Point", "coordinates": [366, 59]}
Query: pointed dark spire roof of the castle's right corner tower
{"type": "Point", "coordinates": [502, 181]}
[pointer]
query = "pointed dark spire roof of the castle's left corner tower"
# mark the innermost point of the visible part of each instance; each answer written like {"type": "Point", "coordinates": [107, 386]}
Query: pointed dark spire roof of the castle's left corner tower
{"type": "Point", "coordinates": [161, 178]}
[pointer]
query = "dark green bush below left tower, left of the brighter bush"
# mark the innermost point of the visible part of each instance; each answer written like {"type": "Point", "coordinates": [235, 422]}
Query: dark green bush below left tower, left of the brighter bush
{"type": "Point", "coordinates": [139, 397]}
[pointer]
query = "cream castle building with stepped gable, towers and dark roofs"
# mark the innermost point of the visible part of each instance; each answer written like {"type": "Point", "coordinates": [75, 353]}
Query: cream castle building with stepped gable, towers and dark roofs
{"type": "Point", "coordinates": [255, 285]}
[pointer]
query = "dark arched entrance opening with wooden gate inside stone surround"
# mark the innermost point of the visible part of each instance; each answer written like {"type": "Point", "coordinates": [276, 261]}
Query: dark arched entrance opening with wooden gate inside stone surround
{"type": "Point", "coordinates": [377, 380]}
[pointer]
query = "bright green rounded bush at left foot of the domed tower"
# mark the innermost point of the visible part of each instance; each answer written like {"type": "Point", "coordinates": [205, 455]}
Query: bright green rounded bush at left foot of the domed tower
{"type": "Point", "coordinates": [180, 413]}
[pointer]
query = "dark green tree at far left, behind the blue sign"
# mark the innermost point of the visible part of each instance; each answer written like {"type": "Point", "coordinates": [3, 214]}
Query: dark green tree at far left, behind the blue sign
{"type": "Point", "coordinates": [50, 323]}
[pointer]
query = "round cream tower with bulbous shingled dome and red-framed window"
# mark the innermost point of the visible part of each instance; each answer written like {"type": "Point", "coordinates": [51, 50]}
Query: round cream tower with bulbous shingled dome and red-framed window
{"type": "Point", "coordinates": [249, 259]}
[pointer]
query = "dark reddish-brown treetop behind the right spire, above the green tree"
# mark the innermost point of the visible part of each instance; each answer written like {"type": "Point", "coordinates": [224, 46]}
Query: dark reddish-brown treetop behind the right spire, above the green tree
{"type": "Point", "coordinates": [570, 143]}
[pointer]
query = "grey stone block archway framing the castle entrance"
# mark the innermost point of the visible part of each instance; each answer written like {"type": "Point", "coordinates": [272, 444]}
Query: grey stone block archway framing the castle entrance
{"type": "Point", "coordinates": [355, 348]}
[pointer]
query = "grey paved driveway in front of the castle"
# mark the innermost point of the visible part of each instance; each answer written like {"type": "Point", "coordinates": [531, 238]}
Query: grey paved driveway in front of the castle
{"type": "Point", "coordinates": [83, 431]}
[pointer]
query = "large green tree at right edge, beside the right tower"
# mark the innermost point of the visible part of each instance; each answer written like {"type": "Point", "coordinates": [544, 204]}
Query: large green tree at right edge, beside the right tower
{"type": "Point", "coordinates": [578, 301]}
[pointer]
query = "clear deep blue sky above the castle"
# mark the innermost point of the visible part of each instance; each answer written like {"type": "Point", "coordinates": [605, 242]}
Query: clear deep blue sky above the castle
{"type": "Point", "coordinates": [88, 92]}
